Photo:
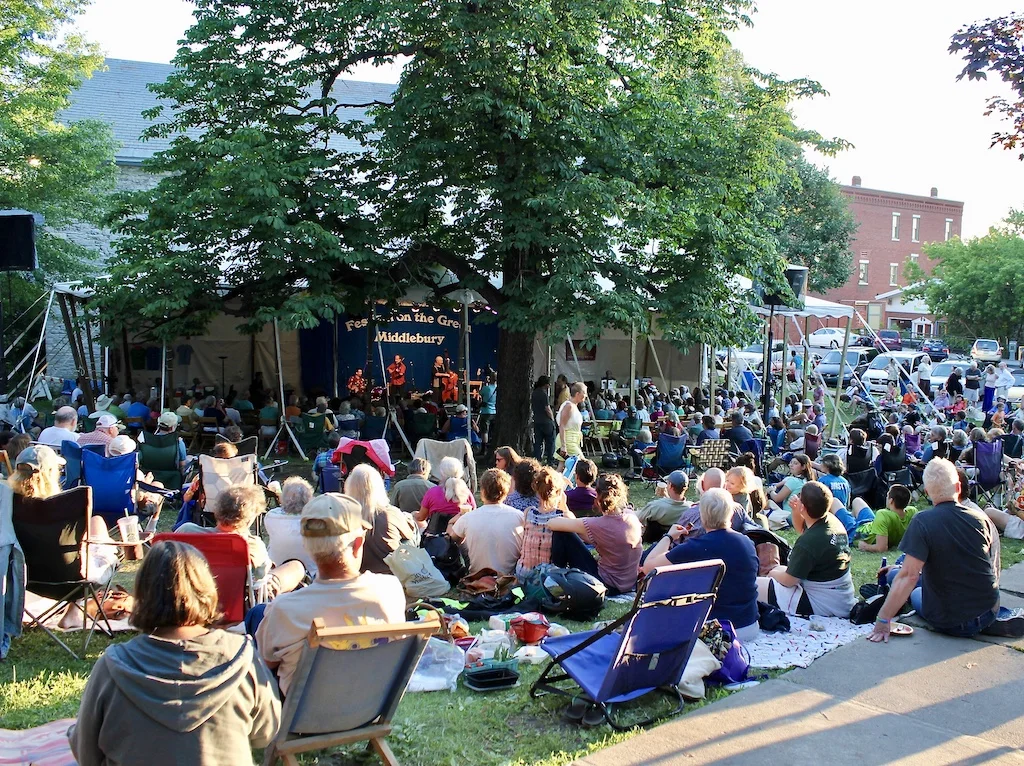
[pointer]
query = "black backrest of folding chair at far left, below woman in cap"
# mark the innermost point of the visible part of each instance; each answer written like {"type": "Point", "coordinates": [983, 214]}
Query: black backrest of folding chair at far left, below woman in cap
{"type": "Point", "coordinates": [52, 533]}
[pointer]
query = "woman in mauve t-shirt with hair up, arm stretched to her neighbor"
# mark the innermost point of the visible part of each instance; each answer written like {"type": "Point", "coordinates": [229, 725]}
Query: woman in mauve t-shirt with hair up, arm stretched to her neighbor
{"type": "Point", "coordinates": [616, 535]}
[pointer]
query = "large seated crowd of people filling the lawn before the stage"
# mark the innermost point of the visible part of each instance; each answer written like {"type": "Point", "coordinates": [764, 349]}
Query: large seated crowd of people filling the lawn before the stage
{"type": "Point", "coordinates": [327, 556]}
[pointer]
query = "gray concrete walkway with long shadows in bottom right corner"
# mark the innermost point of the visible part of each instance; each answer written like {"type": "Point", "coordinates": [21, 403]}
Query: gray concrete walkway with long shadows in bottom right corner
{"type": "Point", "coordinates": [924, 700]}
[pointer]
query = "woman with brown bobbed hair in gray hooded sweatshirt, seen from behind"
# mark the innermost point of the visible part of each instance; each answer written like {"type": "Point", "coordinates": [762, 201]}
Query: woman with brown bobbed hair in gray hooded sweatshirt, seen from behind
{"type": "Point", "coordinates": [182, 693]}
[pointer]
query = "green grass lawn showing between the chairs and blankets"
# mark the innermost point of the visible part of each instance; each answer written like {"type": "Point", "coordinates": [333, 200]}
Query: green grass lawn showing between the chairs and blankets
{"type": "Point", "coordinates": [40, 684]}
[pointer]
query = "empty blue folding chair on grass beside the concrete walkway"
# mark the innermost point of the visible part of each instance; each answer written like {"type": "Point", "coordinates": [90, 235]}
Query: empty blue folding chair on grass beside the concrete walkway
{"type": "Point", "coordinates": [608, 667]}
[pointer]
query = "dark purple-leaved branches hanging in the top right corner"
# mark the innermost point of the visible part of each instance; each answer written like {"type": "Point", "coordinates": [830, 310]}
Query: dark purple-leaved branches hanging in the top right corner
{"type": "Point", "coordinates": [998, 46]}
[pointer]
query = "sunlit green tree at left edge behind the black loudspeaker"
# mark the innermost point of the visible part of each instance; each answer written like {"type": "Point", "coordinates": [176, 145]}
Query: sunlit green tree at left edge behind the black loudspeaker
{"type": "Point", "coordinates": [62, 171]}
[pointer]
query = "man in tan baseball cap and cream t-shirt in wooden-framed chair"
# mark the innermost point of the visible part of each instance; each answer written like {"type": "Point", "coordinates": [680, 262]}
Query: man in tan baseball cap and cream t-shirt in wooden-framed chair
{"type": "Point", "coordinates": [333, 532]}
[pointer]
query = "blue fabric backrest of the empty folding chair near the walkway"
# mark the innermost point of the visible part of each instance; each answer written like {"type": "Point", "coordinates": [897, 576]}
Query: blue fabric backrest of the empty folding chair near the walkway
{"type": "Point", "coordinates": [659, 635]}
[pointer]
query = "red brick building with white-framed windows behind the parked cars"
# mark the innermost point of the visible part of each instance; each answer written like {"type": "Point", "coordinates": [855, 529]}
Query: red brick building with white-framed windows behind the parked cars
{"type": "Point", "coordinates": [893, 230]}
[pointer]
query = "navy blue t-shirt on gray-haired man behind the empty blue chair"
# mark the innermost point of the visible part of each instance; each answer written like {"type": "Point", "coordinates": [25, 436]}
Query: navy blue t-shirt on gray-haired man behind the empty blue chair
{"type": "Point", "coordinates": [738, 597]}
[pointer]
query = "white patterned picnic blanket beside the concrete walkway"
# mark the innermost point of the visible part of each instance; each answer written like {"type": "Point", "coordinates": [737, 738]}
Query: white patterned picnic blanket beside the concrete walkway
{"type": "Point", "coordinates": [802, 646]}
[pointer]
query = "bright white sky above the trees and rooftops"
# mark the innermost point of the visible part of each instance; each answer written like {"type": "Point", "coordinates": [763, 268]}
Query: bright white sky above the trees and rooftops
{"type": "Point", "coordinates": [892, 88]}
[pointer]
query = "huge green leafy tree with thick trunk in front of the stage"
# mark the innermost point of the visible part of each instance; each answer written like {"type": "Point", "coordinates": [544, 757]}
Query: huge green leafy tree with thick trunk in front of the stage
{"type": "Point", "coordinates": [576, 164]}
